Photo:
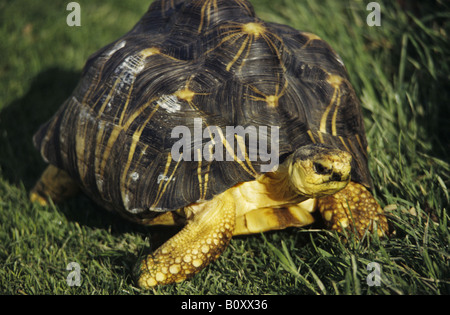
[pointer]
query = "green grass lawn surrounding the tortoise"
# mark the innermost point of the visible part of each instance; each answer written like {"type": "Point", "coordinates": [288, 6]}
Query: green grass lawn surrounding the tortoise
{"type": "Point", "coordinates": [400, 72]}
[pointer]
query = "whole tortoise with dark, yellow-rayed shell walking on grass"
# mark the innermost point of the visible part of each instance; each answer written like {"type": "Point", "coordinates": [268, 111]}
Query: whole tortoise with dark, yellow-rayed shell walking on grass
{"type": "Point", "coordinates": [205, 116]}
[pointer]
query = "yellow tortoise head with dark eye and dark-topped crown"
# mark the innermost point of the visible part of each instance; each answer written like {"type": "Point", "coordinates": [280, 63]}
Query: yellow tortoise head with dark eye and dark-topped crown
{"type": "Point", "coordinates": [317, 170]}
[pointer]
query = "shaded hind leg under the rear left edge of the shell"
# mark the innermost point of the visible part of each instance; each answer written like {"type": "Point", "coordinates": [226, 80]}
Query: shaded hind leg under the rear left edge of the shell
{"type": "Point", "coordinates": [55, 184]}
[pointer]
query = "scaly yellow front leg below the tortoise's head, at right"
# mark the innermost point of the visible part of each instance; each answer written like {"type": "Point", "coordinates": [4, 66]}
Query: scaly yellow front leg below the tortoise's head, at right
{"type": "Point", "coordinates": [353, 206]}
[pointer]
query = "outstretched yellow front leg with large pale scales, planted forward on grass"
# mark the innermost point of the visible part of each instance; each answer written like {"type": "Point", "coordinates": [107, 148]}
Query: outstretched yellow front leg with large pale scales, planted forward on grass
{"type": "Point", "coordinates": [201, 241]}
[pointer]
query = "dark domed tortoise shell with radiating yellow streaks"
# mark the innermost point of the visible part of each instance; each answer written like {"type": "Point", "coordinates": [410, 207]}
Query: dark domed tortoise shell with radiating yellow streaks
{"type": "Point", "coordinates": [192, 64]}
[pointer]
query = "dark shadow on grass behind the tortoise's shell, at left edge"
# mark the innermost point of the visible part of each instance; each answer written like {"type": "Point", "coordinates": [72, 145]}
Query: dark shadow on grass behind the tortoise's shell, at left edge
{"type": "Point", "coordinates": [20, 162]}
